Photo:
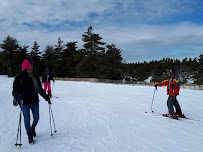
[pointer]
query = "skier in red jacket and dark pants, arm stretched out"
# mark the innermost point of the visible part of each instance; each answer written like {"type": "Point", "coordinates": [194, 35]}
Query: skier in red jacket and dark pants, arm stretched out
{"type": "Point", "coordinates": [173, 88]}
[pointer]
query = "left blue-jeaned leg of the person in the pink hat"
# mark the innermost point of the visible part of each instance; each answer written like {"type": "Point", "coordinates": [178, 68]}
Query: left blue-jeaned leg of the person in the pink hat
{"type": "Point", "coordinates": [26, 113]}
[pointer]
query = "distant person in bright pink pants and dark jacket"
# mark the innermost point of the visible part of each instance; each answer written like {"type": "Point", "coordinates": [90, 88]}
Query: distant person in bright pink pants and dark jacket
{"type": "Point", "coordinates": [46, 78]}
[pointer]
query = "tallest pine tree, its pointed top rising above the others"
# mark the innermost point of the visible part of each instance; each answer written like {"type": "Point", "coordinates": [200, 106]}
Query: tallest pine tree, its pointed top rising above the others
{"type": "Point", "coordinates": [90, 63]}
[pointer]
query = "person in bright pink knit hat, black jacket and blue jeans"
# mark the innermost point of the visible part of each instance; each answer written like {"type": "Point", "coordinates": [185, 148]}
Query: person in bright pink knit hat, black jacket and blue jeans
{"type": "Point", "coordinates": [26, 88]}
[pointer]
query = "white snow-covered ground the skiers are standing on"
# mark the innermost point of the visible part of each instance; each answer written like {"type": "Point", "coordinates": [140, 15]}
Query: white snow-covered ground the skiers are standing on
{"type": "Point", "coordinates": [96, 117]}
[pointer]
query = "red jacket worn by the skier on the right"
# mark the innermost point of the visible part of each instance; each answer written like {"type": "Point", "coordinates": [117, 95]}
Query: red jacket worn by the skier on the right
{"type": "Point", "coordinates": [172, 91]}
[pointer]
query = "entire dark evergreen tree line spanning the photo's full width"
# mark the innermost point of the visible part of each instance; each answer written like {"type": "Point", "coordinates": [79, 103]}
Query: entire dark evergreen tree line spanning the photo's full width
{"type": "Point", "coordinates": [96, 59]}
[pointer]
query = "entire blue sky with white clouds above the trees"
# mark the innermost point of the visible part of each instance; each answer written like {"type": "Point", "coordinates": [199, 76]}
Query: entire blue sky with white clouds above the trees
{"type": "Point", "coordinates": [144, 29]}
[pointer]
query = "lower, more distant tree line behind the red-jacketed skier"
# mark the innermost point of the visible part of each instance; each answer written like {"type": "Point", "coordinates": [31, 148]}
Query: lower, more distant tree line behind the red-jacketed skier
{"type": "Point", "coordinates": [189, 70]}
